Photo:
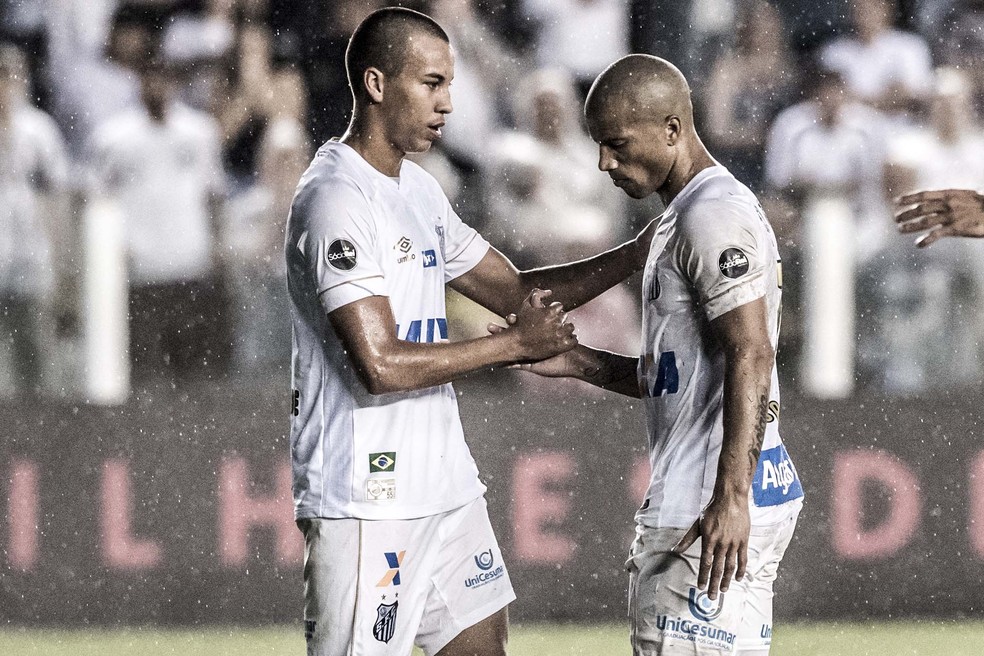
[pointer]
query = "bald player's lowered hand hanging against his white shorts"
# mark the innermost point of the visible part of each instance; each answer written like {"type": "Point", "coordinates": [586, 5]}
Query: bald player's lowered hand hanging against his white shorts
{"type": "Point", "coordinates": [723, 528]}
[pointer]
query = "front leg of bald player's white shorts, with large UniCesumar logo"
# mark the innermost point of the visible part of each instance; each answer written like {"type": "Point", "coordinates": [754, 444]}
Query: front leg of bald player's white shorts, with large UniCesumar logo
{"type": "Point", "coordinates": [668, 613]}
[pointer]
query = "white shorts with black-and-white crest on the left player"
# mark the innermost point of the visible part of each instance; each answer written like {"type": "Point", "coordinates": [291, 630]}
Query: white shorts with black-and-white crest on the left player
{"type": "Point", "coordinates": [375, 588]}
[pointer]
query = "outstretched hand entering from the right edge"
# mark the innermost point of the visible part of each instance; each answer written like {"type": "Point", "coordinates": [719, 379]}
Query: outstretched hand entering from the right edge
{"type": "Point", "coordinates": [944, 213]}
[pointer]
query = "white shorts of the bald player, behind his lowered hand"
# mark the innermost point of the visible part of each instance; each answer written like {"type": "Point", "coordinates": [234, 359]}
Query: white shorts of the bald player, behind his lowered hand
{"type": "Point", "coordinates": [669, 615]}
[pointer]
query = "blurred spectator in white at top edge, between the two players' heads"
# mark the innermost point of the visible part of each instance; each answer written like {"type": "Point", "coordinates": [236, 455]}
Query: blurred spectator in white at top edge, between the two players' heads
{"type": "Point", "coordinates": [582, 36]}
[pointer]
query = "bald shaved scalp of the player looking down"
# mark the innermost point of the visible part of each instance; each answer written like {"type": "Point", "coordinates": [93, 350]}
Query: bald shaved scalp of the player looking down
{"type": "Point", "coordinates": [641, 86]}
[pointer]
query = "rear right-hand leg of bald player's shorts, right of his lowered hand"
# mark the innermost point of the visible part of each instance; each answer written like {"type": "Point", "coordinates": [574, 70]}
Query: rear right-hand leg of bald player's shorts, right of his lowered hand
{"type": "Point", "coordinates": [766, 547]}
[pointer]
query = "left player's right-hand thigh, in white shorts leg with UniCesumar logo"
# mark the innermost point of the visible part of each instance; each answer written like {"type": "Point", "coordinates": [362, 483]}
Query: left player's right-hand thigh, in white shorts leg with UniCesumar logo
{"type": "Point", "coordinates": [465, 611]}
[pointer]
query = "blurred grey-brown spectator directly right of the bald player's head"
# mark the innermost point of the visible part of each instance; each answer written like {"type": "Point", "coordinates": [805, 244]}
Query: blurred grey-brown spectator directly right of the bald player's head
{"type": "Point", "coordinates": [749, 85]}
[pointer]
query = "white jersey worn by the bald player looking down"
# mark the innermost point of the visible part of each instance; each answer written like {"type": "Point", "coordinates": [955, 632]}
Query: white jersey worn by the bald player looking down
{"type": "Point", "coordinates": [713, 251]}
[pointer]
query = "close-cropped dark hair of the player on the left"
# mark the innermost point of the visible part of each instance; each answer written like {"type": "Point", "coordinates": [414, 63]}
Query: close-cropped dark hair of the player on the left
{"type": "Point", "coordinates": [384, 40]}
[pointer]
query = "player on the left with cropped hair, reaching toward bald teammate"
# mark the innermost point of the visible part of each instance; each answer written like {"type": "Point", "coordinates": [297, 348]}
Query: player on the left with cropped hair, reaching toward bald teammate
{"type": "Point", "coordinates": [398, 545]}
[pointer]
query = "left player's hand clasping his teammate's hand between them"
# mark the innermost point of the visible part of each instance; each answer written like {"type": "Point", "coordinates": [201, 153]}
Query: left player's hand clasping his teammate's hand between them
{"type": "Point", "coordinates": [541, 331]}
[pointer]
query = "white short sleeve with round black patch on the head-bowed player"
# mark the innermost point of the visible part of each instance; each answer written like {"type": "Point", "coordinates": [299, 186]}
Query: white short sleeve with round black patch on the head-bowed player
{"type": "Point", "coordinates": [723, 255]}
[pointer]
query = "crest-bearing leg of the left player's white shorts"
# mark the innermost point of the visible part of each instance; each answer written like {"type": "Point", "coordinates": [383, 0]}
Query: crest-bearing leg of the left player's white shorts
{"type": "Point", "coordinates": [366, 584]}
